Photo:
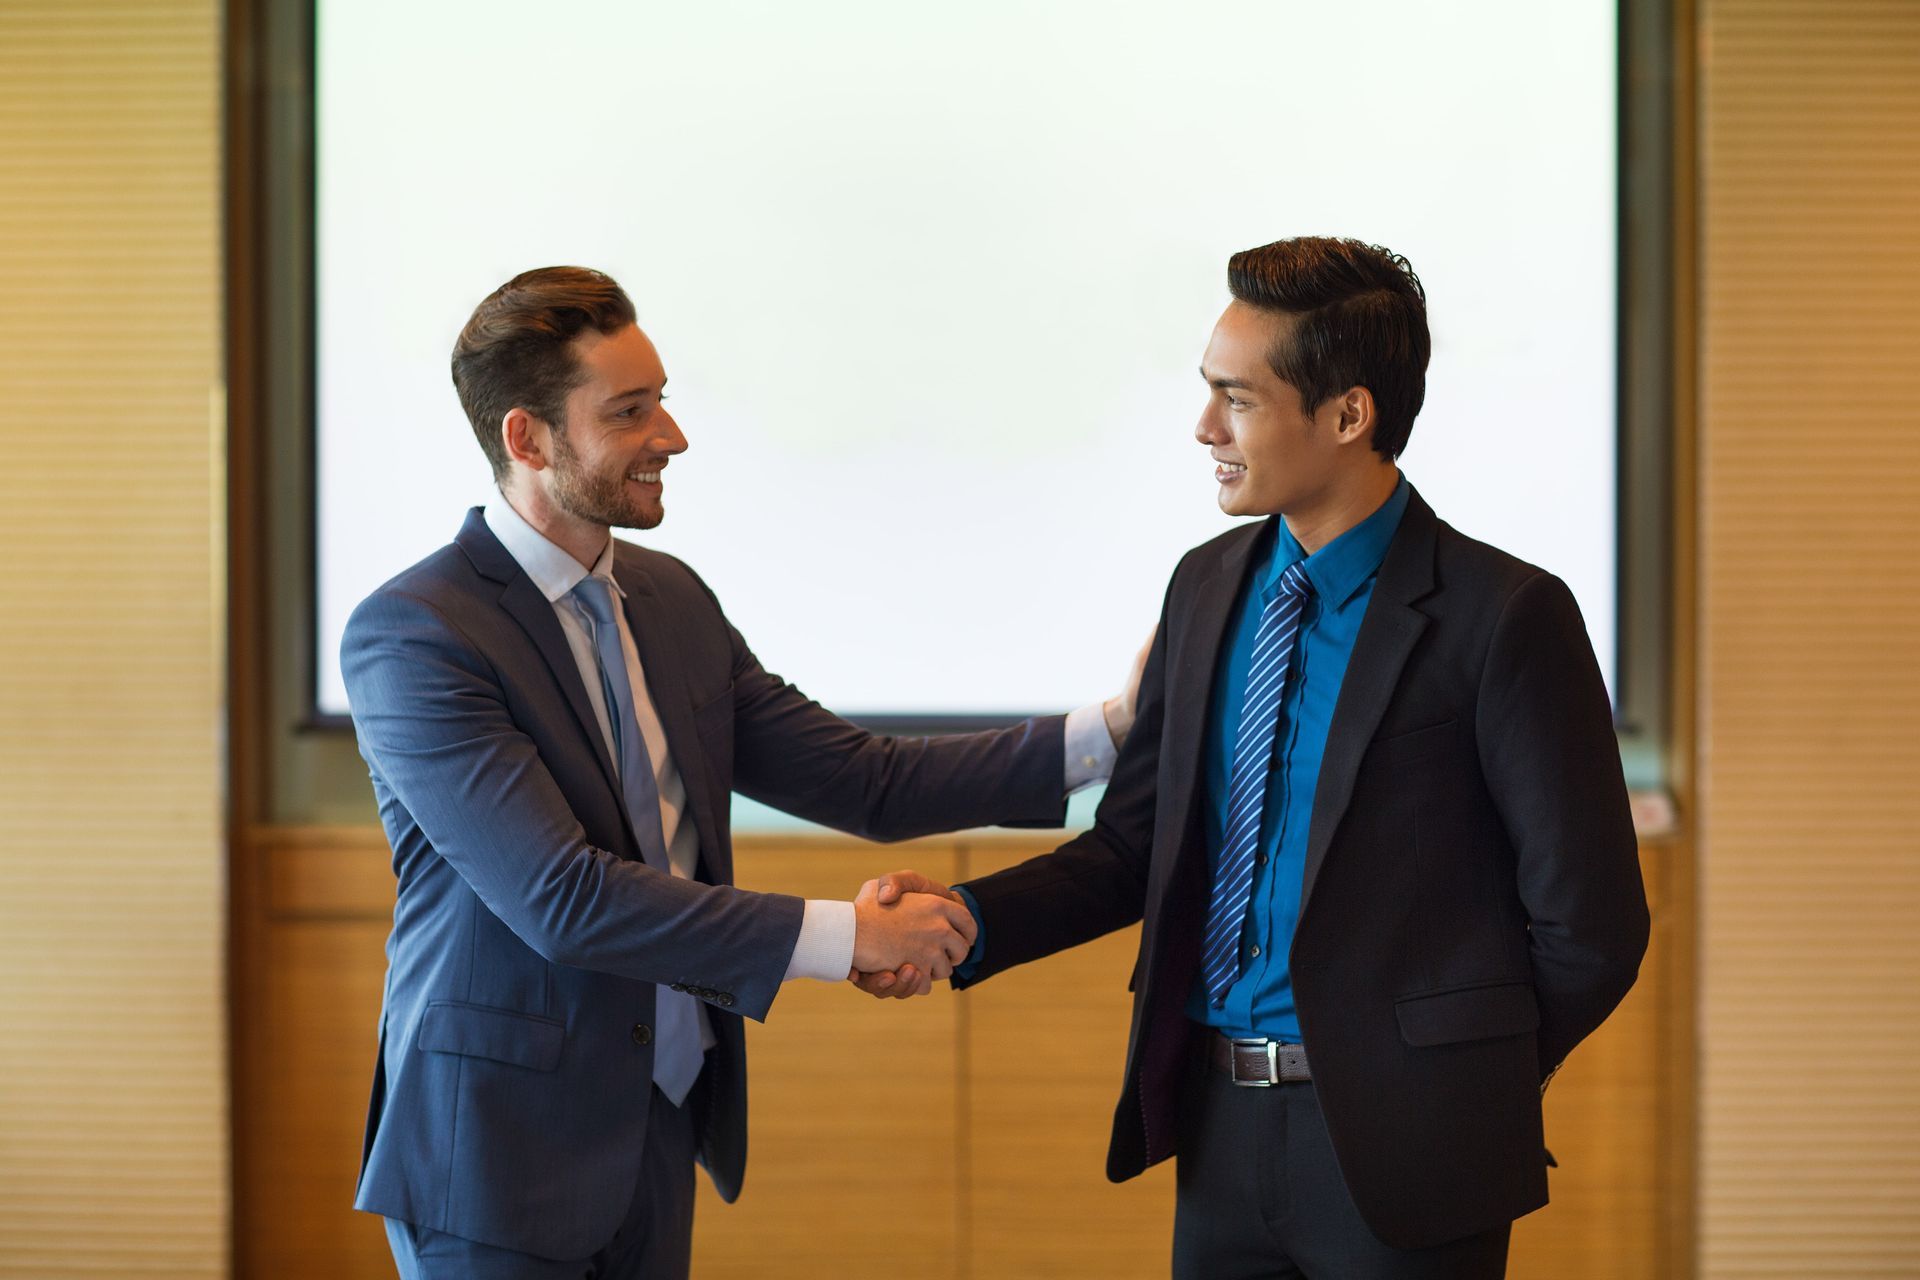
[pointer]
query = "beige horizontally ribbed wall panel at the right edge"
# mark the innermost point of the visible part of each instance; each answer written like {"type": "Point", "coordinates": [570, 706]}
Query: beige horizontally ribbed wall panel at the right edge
{"type": "Point", "coordinates": [1812, 632]}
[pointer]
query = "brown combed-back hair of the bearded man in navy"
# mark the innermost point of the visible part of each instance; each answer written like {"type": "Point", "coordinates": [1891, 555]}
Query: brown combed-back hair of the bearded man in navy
{"type": "Point", "coordinates": [517, 348]}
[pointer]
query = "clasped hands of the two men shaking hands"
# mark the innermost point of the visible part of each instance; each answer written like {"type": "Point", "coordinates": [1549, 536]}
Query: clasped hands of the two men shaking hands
{"type": "Point", "coordinates": [909, 934]}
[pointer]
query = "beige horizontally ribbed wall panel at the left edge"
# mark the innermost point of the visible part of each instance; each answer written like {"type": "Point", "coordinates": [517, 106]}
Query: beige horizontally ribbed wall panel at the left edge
{"type": "Point", "coordinates": [112, 909]}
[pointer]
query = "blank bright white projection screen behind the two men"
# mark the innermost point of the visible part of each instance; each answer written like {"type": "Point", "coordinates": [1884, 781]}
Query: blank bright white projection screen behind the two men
{"type": "Point", "coordinates": [932, 287]}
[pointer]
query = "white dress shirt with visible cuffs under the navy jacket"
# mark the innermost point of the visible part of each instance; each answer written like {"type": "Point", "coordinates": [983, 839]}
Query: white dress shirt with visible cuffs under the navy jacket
{"type": "Point", "coordinates": [825, 949]}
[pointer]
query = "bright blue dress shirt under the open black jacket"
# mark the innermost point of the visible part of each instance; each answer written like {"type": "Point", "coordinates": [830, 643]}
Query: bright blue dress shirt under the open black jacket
{"type": "Point", "coordinates": [1343, 575]}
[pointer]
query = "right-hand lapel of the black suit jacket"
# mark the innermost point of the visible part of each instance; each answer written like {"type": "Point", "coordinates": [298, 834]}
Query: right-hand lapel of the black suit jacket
{"type": "Point", "coordinates": [1381, 652]}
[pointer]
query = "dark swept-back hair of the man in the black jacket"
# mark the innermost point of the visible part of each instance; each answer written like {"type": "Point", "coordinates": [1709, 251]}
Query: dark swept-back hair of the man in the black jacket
{"type": "Point", "coordinates": [1360, 320]}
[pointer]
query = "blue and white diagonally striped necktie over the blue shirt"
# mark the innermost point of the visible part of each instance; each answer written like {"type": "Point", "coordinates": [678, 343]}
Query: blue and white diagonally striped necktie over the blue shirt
{"type": "Point", "coordinates": [1247, 794]}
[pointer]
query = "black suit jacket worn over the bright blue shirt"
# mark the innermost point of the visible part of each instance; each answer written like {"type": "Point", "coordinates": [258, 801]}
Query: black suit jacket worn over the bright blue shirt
{"type": "Point", "coordinates": [1472, 905]}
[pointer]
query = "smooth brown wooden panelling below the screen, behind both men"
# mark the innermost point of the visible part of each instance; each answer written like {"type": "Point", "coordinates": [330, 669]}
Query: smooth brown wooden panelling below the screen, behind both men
{"type": "Point", "coordinates": [976, 1122]}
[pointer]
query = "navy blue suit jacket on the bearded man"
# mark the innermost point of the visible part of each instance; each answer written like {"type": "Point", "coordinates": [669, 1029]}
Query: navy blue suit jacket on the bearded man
{"type": "Point", "coordinates": [510, 1102]}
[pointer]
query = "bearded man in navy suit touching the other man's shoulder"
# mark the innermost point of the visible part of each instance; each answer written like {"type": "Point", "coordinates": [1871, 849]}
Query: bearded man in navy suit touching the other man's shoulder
{"type": "Point", "coordinates": [554, 723]}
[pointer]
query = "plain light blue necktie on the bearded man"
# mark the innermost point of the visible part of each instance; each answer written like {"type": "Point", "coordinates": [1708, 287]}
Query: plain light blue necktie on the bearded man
{"type": "Point", "coordinates": [677, 1030]}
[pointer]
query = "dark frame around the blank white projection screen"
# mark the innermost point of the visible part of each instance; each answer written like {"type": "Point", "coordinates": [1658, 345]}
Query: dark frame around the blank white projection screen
{"type": "Point", "coordinates": [274, 245]}
